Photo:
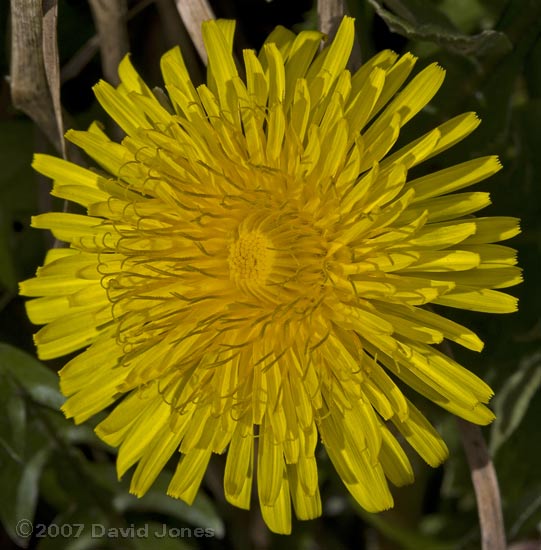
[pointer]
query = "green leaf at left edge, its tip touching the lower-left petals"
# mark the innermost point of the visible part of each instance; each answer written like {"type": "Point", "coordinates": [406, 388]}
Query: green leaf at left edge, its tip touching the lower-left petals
{"type": "Point", "coordinates": [36, 379]}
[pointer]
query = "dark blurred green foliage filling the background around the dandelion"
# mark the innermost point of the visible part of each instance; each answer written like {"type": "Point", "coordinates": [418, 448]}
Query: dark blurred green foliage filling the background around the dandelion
{"type": "Point", "coordinates": [55, 473]}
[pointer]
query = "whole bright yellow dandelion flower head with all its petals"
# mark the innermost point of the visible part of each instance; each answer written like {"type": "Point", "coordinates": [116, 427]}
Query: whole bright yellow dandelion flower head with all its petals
{"type": "Point", "coordinates": [255, 265]}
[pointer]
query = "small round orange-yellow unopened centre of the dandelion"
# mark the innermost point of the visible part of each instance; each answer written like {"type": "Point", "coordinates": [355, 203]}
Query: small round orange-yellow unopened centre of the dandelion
{"type": "Point", "coordinates": [250, 258]}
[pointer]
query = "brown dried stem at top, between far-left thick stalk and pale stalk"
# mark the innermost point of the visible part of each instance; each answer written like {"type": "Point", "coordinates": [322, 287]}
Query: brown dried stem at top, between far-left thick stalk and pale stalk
{"type": "Point", "coordinates": [110, 17]}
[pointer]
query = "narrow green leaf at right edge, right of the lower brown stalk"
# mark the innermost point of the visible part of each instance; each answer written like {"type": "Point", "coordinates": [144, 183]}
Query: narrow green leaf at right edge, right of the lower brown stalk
{"type": "Point", "coordinates": [512, 401]}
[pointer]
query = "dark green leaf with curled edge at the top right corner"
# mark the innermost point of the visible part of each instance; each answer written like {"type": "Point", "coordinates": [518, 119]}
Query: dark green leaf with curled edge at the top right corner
{"type": "Point", "coordinates": [419, 19]}
